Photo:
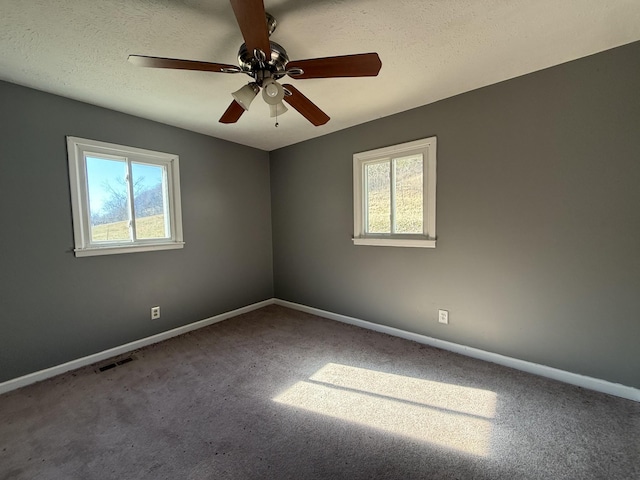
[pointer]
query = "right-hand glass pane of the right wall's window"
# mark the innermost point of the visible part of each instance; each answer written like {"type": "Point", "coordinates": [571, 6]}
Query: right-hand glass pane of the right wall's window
{"type": "Point", "coordinates": [409, 203]}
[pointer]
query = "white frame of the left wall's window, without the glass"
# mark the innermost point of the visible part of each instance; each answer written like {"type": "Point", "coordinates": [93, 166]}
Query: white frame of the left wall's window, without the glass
{"type": "Point", "coordinates": [77, 151]}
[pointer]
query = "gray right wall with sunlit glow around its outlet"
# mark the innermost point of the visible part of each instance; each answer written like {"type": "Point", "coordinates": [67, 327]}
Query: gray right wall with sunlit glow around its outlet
{"type": "Point", "coordinates": [538, 227]}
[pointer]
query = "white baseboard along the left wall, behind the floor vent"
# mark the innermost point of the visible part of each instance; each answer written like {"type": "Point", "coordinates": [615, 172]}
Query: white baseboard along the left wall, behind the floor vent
{"type": "Point", "coordinates": [128, 347]}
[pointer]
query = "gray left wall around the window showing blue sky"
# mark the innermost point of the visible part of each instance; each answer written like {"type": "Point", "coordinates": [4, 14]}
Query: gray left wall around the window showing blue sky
{"type": "Point", "coordinates": [55, 307]}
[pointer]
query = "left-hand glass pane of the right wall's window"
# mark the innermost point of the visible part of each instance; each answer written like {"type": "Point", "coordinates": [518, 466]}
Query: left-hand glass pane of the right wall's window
{"type": "Point", "coordinates": [378, 197]}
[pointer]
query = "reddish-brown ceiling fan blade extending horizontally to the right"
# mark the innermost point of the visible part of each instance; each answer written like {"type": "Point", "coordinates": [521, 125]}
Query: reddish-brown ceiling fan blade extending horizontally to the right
{"type": "Point", "coordinates": [358, 65]}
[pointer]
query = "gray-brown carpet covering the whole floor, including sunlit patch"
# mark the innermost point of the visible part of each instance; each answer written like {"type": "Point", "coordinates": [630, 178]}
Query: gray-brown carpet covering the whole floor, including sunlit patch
{"type": "Point", "coordinates": [279, 394]}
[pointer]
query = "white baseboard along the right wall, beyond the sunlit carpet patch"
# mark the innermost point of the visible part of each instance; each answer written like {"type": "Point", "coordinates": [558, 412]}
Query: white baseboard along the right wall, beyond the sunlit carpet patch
{"type": "Point", "coordinates": [590, 383]}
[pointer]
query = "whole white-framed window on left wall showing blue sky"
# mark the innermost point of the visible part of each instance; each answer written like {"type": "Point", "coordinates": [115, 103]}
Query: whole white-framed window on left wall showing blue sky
{"type": "Point", "coordinates": [123, 199]}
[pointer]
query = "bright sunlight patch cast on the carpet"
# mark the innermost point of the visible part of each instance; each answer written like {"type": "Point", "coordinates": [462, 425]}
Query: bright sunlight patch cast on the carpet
{"type": "Point", "coordinates": [449, 415]}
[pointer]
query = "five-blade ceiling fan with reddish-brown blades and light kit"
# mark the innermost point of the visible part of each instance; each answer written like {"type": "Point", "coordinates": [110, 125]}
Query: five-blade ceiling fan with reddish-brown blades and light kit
{"type": "Point", "coordinates": [267, 62]}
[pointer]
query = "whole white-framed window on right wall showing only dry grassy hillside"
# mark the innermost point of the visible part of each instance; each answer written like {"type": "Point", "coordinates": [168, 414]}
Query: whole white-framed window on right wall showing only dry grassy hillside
{"type": "Point", "coordinates": [394, 192]}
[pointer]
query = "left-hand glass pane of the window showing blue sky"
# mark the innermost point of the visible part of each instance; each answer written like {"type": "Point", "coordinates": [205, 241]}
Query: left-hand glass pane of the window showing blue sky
{"type": "Point", "coordinates": [108, 199]}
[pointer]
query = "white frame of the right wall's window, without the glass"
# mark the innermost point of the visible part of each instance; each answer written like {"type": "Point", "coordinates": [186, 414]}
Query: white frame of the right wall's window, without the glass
{"type": "Point", "coordinates": [426, 147]}
